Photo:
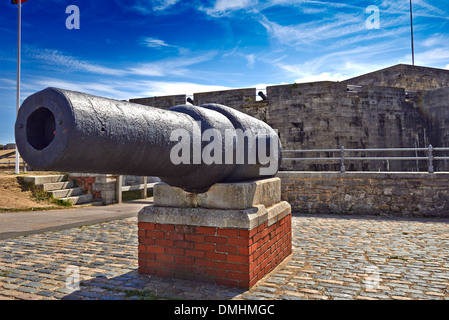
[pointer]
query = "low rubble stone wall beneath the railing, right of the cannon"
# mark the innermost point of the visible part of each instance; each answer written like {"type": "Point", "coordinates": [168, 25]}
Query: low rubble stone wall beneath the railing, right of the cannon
{"type": "Point", "coordinates": [367, 193]}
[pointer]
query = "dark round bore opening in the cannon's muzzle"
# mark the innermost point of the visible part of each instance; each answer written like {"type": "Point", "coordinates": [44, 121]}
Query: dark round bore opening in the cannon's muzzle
{"type": "Point", "coordinates": [41, 128]}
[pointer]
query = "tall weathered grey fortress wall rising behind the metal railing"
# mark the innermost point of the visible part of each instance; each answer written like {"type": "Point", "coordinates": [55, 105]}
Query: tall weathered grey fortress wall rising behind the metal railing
{"type": "Point", "coordinates": [398, 107]}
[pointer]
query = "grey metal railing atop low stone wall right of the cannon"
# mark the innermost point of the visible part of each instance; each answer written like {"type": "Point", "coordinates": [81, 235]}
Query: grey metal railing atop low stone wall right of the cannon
{"type": "Point", "coordinates": [343, 157]}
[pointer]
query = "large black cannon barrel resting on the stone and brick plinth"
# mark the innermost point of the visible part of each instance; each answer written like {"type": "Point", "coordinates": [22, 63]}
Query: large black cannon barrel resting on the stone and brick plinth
{"type": "Point", "coordinates": [191, 147]}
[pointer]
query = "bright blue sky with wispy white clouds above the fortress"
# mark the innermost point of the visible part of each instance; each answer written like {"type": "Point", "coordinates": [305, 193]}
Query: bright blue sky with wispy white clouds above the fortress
{"type": "Point", "coordinates": [140, 48]}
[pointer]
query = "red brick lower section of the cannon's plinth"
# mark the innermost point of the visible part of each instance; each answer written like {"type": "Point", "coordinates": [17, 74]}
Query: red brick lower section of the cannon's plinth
{"type": "Point", "coordinates": [231, 257]}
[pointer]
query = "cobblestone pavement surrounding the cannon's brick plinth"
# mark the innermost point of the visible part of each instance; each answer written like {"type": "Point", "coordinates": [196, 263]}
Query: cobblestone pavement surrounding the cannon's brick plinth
{"type": "Point", "coordinates": [334, 257]}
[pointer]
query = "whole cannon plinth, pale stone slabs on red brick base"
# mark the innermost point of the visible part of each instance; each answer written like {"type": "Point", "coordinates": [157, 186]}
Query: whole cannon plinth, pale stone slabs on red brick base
{"type": "Point", "coordinates": [232, 235]}
